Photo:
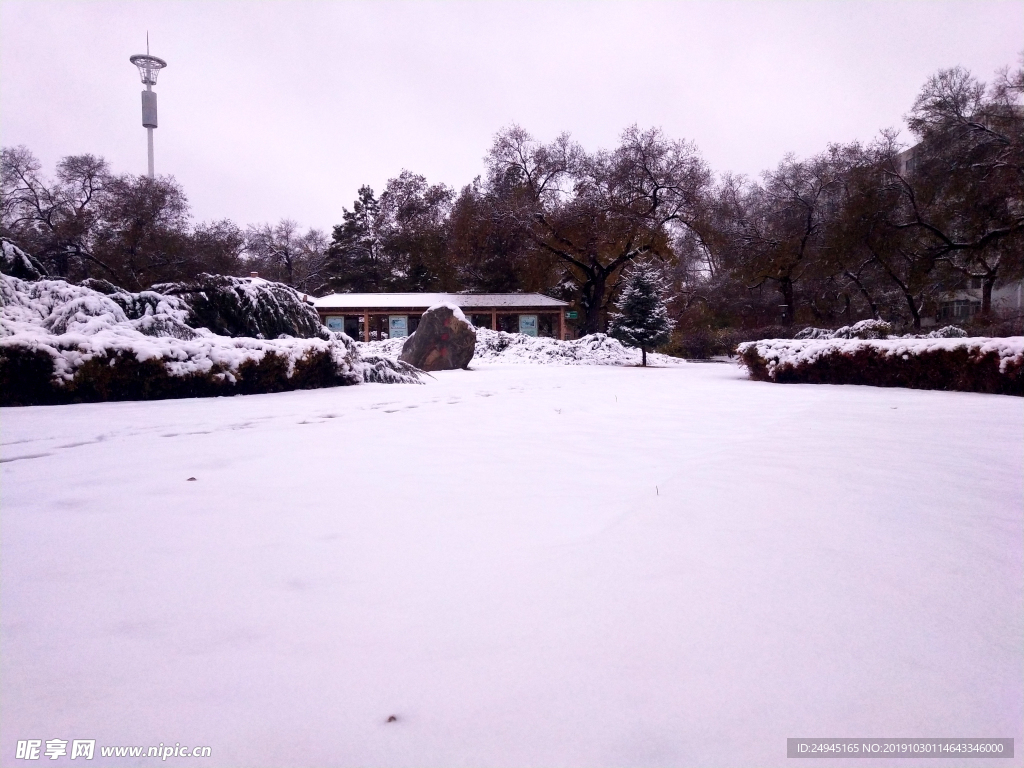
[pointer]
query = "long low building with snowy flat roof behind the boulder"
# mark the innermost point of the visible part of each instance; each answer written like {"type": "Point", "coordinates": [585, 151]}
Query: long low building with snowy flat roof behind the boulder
{"type": "Point", "coordinates": [388, 316]}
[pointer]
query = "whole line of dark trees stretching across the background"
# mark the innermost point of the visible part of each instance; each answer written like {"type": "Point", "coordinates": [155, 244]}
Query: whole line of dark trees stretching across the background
{"type": "Point", "coordinates": [856, 232]}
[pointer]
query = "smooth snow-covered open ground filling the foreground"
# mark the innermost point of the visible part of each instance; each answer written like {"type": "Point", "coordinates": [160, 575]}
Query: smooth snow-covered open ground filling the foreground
{"type": "Point", "coordinates": [527, 566]}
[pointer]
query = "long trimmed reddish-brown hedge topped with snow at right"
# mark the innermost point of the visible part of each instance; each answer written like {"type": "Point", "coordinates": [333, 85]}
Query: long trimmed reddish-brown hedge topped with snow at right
{"type": "Point", "coordinates": [973, 365]}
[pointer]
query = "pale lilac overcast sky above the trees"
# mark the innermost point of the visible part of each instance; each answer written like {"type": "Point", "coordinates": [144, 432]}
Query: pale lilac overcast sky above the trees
{"type": "Point", "coordinates": [274, 110]}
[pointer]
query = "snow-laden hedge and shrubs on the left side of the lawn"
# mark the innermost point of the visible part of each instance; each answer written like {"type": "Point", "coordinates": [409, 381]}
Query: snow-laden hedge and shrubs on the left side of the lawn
{"type": "Point", "coordinates": [67, 344]}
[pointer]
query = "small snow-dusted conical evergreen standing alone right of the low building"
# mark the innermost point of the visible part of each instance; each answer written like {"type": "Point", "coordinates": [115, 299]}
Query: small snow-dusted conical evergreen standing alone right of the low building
{"type": "Point", "coordinates": [643, 320]}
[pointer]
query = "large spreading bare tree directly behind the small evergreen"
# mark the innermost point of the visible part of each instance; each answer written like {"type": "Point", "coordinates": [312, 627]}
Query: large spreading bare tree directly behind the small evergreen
{"type": "Point", "coordinates": [596, 212]}
